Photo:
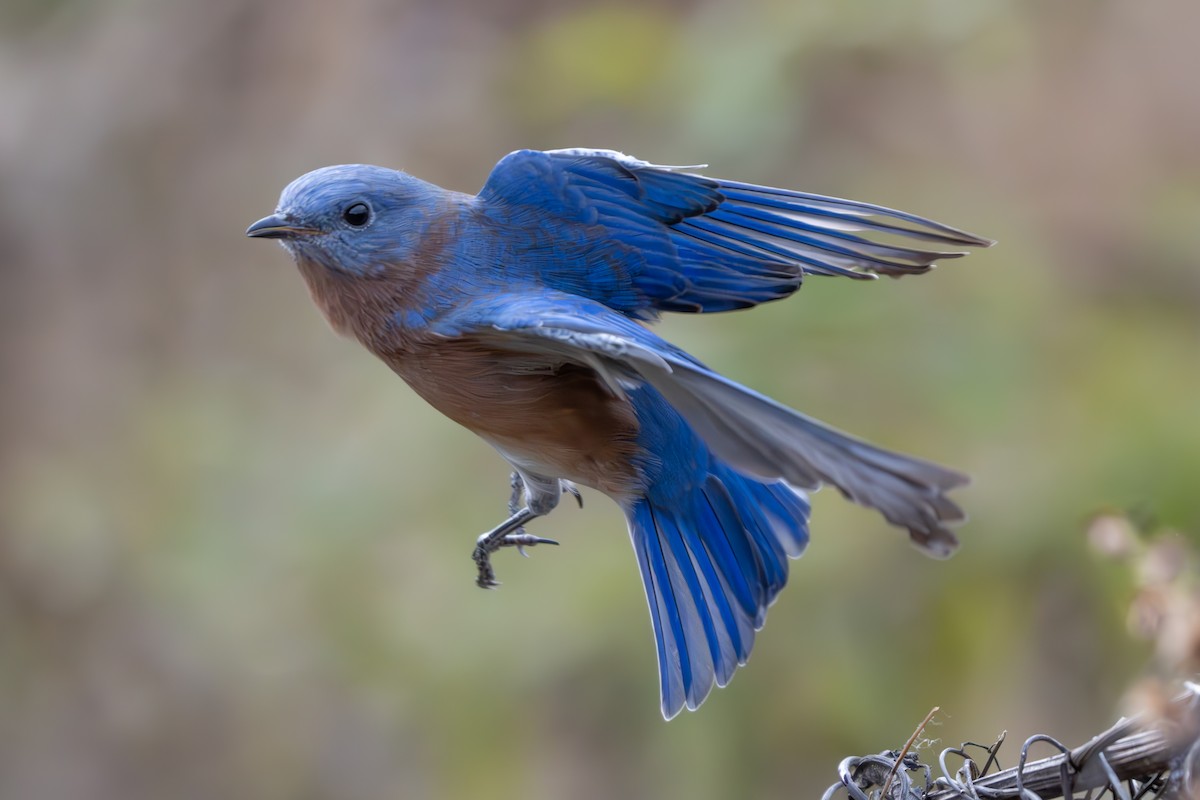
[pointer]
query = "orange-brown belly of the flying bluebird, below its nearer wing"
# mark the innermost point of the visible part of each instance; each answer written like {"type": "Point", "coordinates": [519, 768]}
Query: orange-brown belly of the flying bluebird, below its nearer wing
{"type": "Point", "coordinates": [553, 419]}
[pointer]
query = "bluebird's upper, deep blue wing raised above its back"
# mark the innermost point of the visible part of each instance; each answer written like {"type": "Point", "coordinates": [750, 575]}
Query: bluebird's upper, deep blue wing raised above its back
{"type": "Point", "coordinates": [644, 239]}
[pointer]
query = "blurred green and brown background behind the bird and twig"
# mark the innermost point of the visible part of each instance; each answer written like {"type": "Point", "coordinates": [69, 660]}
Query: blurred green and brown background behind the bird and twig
{"type": "Point", "coordinates": [235, 558]}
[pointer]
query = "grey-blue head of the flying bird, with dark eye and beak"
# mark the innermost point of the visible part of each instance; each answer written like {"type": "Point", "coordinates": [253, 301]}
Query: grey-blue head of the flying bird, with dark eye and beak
{"type": "Point", "coordinates": [353, 219]}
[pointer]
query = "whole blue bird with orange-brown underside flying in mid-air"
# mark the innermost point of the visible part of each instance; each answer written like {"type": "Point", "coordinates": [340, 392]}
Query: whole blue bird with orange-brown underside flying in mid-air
{"type": "Point", "coordinates": [524, 314]}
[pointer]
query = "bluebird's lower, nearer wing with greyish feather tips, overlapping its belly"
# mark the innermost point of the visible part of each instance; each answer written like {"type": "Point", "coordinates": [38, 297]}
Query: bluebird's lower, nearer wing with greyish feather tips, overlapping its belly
{"type": "Point", "coordinates": [753, 434]}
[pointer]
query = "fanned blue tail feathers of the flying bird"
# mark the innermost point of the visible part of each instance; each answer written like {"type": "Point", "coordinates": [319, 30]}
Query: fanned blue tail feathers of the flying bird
{"type": "Point", "coordinates": [713, 558]}
